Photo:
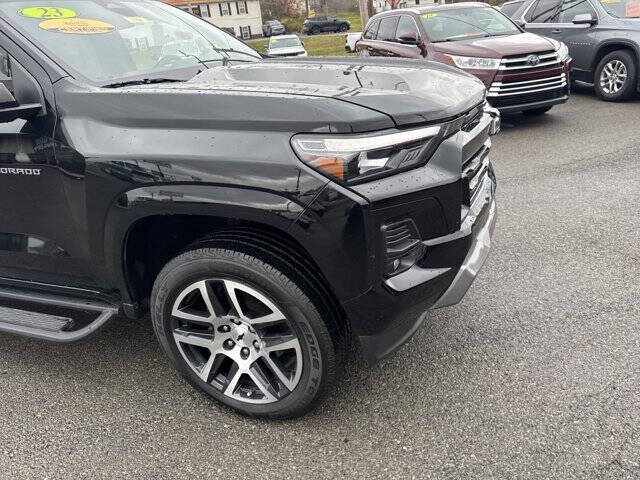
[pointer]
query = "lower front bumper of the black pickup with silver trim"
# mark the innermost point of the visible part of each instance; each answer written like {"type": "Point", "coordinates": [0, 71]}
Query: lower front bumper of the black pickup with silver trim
{"type": "Point", "coordinates": [405, 300]}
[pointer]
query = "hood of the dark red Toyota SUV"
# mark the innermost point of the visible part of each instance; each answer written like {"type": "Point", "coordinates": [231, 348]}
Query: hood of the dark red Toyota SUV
{"type": "Point", "coordinates": [496, 47]}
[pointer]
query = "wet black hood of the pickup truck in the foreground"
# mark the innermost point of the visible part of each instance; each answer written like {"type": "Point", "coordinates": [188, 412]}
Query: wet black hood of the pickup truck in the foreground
{"type": "Point", "coordinates": [406, 91]}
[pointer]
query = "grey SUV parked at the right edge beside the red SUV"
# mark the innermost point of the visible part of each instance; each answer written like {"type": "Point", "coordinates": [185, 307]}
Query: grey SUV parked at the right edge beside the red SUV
{"type": "Point", "coordinates": [603, 38]}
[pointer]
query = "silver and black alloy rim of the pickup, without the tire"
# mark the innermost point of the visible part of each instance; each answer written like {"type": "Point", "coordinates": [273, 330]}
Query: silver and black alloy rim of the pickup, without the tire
{"type": "Point", "coordinates": [237, 340]}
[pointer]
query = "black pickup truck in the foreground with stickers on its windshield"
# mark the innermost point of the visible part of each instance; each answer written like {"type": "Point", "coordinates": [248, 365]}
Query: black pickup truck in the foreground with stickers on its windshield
{"type": "Point", "coordinates": [265, 212]}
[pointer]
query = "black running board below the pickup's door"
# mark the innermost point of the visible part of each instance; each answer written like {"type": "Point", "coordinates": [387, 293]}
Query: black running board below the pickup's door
{"type": "Point", "coordinates": [50, 327]}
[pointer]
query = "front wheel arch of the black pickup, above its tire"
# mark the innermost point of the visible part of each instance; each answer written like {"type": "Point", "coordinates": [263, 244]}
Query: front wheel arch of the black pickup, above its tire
{"type": "Point", "coordinates": [145, 230]}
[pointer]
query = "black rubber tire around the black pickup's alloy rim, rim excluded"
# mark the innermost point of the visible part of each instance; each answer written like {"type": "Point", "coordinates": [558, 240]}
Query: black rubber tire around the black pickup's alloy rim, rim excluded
{"type": "Point", "coordinates": [315, 343]}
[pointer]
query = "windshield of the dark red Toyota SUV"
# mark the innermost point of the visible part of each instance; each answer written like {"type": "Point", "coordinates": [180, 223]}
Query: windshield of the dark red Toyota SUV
{"type": "Point", "coordinates": [461, 23]}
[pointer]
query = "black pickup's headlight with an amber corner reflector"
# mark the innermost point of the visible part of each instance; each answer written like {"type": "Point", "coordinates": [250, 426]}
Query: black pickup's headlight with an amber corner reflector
{"type": "Point", "coordinates": [354, 158]}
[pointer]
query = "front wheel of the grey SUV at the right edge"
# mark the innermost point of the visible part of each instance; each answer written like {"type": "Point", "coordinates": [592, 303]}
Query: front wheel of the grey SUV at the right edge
{"type": "Point", "coordinates": [615, 77]}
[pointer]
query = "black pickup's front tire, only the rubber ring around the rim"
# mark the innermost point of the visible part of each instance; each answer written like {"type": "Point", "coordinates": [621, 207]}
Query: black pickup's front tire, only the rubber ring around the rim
{"type": "Point", "coordinates": [322, 342]}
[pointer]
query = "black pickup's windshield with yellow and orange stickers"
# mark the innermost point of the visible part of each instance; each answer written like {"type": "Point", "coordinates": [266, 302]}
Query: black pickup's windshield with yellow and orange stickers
{"type": "Point", "coordinates": [106, 40]}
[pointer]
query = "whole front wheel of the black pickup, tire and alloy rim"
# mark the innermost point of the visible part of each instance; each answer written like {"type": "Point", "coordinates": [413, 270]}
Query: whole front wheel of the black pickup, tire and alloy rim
{"type": "Point", "coordinates": [244, 332]}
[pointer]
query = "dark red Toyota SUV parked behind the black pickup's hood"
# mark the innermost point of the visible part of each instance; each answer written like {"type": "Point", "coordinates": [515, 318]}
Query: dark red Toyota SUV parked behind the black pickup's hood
{"type": "Point", "coordinates": [522, 71]}
